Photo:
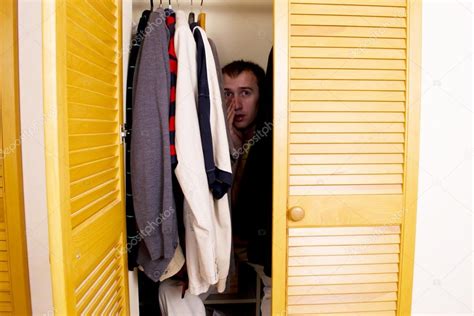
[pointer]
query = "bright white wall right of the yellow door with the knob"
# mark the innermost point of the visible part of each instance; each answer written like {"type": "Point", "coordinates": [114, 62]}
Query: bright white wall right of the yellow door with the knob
{"type": "Point", "coordinates": [443, 253]}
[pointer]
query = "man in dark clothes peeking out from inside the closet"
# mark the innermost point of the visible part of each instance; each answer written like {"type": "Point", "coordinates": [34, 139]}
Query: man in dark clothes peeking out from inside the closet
{"type": "Point", "coordinates": [250, 131]}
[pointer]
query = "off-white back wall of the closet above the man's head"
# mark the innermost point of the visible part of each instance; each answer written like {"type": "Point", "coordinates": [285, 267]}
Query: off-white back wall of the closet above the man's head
{"type": "Point", "coordinates": [241, 29]}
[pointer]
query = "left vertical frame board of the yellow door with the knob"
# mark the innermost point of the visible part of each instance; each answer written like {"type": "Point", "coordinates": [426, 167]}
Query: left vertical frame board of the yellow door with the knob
{"type": "Point", "coordinates": [280, 156]}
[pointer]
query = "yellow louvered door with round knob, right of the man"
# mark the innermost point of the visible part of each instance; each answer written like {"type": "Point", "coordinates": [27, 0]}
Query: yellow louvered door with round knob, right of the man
{"type": "Point", "coordinates": [346, 155]}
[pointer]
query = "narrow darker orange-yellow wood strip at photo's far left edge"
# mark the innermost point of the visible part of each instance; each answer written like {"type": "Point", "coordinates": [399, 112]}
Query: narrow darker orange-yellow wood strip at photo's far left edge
{"type": "Point", "coordinates": [14, 279]}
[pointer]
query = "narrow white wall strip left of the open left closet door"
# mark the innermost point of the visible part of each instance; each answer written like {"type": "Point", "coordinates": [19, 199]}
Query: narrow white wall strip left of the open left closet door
{"type": "Point", "coordinates": [32, 128]}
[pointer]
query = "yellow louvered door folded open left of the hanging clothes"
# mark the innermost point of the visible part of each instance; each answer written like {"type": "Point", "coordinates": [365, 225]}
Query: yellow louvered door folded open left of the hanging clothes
{"type": "Point", "coordinates": [83, 112]}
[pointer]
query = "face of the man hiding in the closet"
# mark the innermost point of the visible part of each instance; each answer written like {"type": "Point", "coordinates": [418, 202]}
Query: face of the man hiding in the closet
{"type": "Point", "coordinates": [242, 93]}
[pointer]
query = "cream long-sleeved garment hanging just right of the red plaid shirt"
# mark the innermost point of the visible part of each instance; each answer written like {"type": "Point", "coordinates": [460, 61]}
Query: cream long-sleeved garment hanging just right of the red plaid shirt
{"type": "Point", "coordinates": [207, 221]}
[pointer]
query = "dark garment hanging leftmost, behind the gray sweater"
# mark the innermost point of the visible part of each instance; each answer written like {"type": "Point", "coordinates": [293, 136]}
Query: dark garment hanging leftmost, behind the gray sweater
{"type": "Point", "coordinates": [132, 233]}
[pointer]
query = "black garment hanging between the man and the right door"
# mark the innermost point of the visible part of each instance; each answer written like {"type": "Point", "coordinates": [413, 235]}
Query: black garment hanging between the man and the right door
{"type": "Point", "coordinates": [254, 200]}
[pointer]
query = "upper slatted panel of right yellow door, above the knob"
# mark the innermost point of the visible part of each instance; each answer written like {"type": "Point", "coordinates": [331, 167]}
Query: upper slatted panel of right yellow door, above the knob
{"type": "Point", "coordinates": [353, 83]}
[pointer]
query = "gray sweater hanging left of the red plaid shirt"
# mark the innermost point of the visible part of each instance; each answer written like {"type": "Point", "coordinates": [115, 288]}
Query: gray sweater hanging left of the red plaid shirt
{"type": "Point", "coordinates": [150, 152]}
